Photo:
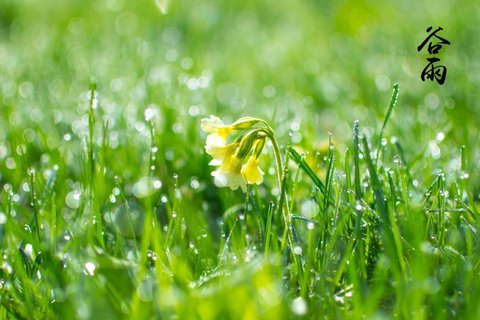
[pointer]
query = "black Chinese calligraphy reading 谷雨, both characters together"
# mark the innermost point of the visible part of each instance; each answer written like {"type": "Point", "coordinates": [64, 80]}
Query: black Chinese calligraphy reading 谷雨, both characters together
{"type": "Point", "coordinates": [432, 71]}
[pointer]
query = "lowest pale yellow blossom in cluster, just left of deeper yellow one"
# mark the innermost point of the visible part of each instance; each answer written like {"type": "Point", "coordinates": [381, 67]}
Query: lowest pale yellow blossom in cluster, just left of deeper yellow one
{"type": "Point", "coordinates": [228, 174]}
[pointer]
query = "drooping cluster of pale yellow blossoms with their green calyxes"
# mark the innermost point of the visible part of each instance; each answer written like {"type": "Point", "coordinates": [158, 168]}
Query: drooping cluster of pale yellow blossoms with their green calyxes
{"type": "Point", "coordinates": [237, 161]}
